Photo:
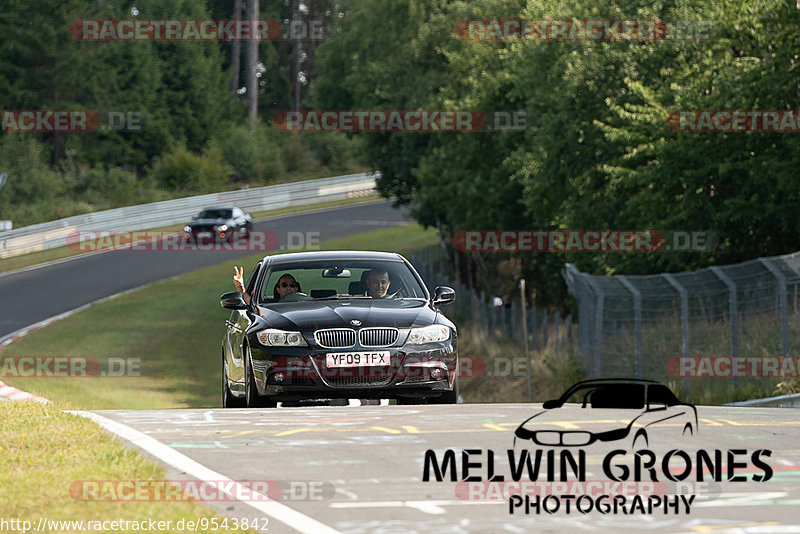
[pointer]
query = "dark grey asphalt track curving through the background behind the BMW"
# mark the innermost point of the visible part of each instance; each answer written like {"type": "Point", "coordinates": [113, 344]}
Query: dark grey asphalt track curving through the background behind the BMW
{"type": "Point", "coordinates": [35, 294]}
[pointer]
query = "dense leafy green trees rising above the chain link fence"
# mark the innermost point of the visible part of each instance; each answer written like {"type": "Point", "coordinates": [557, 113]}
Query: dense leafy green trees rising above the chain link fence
{"type": "Point", "coordinates": [598, 153]}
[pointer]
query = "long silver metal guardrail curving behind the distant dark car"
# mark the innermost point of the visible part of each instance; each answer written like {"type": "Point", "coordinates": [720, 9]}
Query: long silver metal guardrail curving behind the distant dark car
{"type": "Point", "coordinates": [54, 234]}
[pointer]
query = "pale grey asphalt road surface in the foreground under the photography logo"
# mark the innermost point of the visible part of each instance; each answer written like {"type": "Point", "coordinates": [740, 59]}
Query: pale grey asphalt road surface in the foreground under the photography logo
{"type": "Point", "coordinates": [359, 469]}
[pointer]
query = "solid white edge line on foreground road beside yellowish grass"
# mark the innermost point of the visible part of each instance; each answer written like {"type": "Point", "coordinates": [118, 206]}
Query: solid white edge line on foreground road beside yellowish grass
{"type": "Point", "coordinates": [272, 509]}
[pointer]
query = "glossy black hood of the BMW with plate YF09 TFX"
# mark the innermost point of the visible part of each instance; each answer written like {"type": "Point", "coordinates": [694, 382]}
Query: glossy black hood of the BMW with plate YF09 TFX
{"type": "Point", "coordinates": [313, 315]}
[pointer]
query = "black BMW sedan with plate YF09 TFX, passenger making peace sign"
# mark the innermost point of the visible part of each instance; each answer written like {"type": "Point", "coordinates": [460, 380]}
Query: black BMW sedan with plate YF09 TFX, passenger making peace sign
{"type": "Point", "coordinates": [338, 325]}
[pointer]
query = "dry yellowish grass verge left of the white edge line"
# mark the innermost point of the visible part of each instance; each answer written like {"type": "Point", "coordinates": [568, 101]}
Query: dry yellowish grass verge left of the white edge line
{"type": "Point", "coordinates": [45, 453]}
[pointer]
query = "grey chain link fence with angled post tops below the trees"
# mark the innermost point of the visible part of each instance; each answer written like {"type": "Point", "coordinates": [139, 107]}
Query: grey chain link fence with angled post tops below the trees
{"type": "Point", "coordinates": [633, 325]}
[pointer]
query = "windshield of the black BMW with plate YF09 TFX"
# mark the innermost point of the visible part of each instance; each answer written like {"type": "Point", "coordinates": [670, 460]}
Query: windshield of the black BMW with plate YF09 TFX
{"type": "Point", "coordinates": [341, 279]}
